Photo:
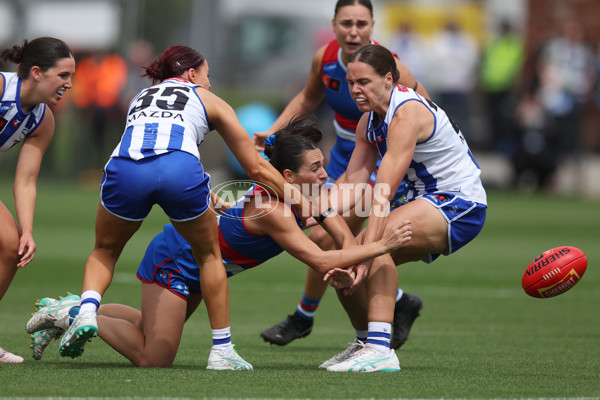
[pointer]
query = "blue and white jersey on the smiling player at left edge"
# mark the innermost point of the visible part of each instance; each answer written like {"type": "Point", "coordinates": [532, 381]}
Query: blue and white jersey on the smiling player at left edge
{"type": "Point", "coordinates": [16, 125]}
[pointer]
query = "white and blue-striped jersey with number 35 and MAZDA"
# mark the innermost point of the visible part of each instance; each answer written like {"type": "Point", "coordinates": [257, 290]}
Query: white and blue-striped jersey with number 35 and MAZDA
{"type": "Point", "coordinates": [166, 117]}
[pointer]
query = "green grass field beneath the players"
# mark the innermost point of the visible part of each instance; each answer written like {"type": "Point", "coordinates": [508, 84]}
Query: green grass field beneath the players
{"type": "Point", "coordinates": [479, 335]}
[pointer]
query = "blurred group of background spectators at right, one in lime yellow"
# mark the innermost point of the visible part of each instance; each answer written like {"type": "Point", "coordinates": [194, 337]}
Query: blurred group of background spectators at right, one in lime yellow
{"type": "Point", "coordinates": [537, 123]}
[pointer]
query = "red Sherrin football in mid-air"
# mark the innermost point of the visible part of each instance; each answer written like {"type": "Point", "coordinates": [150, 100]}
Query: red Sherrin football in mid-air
{"type": "Point", "coordinates": [554, 272]}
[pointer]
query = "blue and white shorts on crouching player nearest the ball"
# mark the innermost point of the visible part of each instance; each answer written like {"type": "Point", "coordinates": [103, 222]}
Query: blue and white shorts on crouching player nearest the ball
{"type": "Point", "coordinates": [465, 220]}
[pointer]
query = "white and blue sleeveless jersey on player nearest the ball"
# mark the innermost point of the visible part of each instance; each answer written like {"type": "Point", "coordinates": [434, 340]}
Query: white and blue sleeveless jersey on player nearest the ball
{"type": "Point", "coordinates": [442, 163]}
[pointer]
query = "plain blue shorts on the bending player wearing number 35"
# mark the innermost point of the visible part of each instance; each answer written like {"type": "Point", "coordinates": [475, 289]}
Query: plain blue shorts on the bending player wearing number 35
{"type": "Point", "coordinates": [176, 181]}
